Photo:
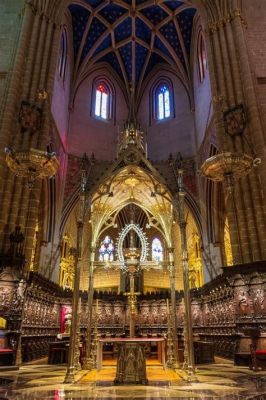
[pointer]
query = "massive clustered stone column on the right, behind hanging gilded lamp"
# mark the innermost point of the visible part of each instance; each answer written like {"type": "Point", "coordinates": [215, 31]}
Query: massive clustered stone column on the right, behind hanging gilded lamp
{"type": "Point", "coordinates": [232, 85]}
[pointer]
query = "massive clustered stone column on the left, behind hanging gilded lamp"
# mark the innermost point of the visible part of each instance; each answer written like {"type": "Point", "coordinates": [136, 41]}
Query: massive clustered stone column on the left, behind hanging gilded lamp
{"type": "Point", "coordinates": [34, 69]}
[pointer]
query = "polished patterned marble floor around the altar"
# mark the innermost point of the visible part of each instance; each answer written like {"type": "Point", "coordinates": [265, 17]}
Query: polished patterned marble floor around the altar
{"type": "Point", "coordinates": [216, 381]}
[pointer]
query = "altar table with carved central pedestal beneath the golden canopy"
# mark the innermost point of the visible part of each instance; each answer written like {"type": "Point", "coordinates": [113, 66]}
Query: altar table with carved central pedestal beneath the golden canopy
{"type": "Point", "coordinates": [131, 360]}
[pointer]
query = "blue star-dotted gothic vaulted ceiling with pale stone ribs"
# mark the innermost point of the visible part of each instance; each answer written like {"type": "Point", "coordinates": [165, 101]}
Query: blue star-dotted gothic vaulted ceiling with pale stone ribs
{"type": "Point", "coordinates": [132, 36]}
